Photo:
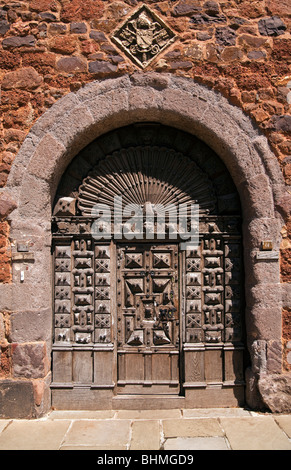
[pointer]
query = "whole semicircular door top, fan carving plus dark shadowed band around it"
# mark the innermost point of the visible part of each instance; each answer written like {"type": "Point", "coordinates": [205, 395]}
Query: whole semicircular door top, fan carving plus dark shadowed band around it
{"type": "Point", "coordinates": [149, 163]}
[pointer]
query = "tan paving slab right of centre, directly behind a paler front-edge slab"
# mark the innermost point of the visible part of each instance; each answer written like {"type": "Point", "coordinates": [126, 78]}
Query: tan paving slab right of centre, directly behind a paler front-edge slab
{"type": "Point", "coordinates": [204, 427]}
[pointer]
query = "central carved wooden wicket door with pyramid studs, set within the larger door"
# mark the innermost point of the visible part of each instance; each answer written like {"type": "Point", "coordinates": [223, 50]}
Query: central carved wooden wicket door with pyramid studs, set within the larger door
{"type": "Point", "coordinates": [148, 319]}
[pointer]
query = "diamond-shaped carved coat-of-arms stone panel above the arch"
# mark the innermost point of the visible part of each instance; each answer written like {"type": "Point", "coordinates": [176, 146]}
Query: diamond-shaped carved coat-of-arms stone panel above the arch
{"type": "Point", "coordinates": [143, 36]}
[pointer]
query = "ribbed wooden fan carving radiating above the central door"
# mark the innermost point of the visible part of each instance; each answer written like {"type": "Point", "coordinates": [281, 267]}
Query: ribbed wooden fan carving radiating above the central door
{"type": "Point", "coordinates": [146, 175]}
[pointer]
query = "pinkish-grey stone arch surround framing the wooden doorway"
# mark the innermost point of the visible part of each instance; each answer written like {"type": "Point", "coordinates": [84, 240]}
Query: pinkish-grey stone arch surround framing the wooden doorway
{"type": "Point", "coordinates": [77, 119]}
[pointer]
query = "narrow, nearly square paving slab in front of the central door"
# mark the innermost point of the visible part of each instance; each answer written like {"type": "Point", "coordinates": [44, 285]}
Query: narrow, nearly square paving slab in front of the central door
{"type": "Point", "coordinates": [145, 435]}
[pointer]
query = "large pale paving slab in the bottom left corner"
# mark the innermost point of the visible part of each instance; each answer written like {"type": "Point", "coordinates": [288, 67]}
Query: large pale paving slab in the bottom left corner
{"type": "Point", "coordinates": [34, 435]}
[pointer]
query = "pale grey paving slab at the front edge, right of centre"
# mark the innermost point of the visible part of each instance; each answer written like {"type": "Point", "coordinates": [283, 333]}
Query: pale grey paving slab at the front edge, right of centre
{"type": "Point", "coordinates": [196, 443]}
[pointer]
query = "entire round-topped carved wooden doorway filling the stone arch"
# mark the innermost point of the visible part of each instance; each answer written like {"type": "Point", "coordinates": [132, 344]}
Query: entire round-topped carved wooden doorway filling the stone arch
{"type": "Point", "coordinates": [166, 319]}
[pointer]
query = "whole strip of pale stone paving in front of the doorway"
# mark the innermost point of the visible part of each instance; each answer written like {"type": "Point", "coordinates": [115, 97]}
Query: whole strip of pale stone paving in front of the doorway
{"type": "Point", "coordinates": [200, 429]}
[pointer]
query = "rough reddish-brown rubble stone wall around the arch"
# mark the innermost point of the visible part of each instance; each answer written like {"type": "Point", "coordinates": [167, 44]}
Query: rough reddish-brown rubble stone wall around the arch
{"type": "Point", "coordinates": [49, 48]}
